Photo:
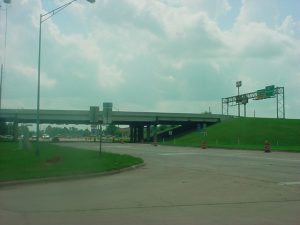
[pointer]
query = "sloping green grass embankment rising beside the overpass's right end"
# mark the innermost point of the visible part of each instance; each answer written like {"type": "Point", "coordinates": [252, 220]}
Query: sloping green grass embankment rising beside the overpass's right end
{"type": "Point", "coordinates": [247, 133]}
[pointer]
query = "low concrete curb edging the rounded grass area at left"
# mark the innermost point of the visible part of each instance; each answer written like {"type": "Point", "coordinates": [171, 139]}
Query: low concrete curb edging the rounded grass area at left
{"type": "Point", "coordinates": [66, 178]}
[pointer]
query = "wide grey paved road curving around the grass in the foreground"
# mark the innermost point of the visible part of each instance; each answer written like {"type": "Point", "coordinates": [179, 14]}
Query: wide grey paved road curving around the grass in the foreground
{"type": "Point", "coordinates": [176, 186]}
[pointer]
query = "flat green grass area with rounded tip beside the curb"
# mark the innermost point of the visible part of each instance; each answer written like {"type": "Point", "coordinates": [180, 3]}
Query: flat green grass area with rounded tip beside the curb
{"type": "Point", "coordinates": [57, 161]}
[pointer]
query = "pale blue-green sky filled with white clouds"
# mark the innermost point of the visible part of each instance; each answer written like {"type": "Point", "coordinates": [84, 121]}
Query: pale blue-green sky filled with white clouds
{"type": "Point", "coordinates": [152, 55]}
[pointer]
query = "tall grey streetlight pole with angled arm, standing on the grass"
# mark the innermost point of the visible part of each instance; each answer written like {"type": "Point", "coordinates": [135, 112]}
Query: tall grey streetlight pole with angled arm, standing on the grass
{"type": "Point", "coordinates": [43, 18]}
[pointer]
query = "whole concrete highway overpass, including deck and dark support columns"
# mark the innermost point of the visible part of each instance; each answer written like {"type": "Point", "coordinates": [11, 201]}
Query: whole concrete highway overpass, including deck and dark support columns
{"type": "Point", "coordinates": [138, 121]}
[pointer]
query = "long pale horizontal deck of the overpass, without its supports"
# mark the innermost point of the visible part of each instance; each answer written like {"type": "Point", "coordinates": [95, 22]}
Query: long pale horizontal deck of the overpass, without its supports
{"type": "Point", "coordinates": [118, 117]}
